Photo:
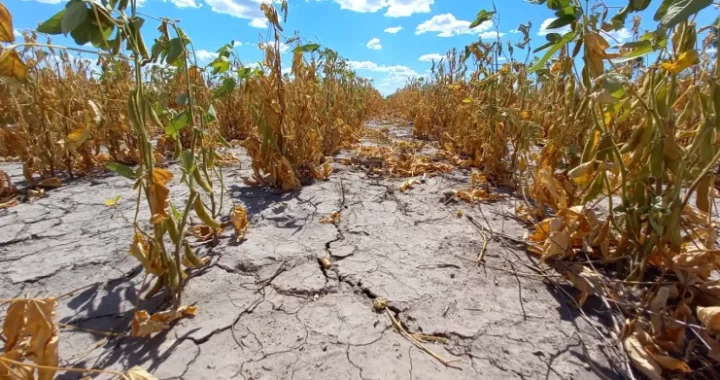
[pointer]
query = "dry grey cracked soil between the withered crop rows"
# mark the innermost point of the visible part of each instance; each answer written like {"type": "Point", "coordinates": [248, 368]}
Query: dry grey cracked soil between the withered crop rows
{"type": "Point", "coordinates": [267, 309]}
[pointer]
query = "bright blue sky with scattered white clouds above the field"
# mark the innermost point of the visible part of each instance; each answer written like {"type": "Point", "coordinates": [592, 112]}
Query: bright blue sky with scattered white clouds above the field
{"type": "Point", "coordinates": [386, 40]}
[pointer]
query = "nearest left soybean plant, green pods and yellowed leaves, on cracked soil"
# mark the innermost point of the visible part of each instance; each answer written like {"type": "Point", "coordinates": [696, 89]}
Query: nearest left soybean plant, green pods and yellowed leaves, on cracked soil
{"type": "Point", "coordinates": [109, 27]}
